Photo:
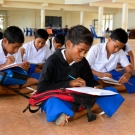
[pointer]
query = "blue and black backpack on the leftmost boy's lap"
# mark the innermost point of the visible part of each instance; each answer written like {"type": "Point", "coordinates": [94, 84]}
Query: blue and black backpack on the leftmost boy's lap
{"type": "Point", "coordinates": [13, 76]}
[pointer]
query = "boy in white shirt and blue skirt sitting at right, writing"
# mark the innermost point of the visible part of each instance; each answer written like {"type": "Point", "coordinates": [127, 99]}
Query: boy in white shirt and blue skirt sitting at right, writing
{"type": "Point", "coordinates": [103, 59]}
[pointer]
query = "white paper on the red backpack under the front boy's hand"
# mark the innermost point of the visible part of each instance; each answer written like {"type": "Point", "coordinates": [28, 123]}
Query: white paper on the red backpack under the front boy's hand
{"type": "Point", "coordinates": [92, 91]}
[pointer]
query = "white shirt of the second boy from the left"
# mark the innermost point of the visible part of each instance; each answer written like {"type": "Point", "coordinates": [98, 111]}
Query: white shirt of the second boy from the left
{"type": "Point", "coordinates": [33, 56]}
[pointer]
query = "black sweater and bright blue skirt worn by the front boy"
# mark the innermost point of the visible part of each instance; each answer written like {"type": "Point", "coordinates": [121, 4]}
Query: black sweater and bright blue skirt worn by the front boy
{"type": "Point", "coordinates": [54, 75]}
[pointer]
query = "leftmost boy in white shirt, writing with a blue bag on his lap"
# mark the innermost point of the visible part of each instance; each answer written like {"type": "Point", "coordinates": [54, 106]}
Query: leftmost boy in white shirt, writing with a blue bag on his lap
{"type": "Point", "coordinates": [13, 39]}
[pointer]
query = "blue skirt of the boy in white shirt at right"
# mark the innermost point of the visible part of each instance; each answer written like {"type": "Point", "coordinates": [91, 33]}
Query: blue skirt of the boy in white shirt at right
{"type": "Point", "coordinates": [116, 75]}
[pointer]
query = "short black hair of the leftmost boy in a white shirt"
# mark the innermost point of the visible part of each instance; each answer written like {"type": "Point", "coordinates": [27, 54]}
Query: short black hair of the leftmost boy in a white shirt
{"type": "Point", "coordinates": [14, 35]}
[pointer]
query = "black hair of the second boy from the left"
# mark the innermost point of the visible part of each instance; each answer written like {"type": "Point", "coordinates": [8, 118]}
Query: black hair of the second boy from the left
{"type": "Point", "coordinates": [41, 33]}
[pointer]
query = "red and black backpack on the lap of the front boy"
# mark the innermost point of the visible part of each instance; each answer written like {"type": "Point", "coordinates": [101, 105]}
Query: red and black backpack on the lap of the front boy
{"type": "Point", "coordinates": [79, 100]}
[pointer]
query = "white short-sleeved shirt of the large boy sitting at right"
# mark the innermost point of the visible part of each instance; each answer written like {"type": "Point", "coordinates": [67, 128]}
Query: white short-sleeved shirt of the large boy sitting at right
{"type": "Point", "coordinates": [97, 58]}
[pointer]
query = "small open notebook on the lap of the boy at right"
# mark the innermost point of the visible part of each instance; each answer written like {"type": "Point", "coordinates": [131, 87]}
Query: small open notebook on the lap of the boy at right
{"type": "Point", "coordinates": [110, 80]}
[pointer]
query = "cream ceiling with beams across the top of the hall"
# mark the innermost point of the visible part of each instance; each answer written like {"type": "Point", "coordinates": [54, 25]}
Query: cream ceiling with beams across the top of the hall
{"type": "Point", "coordinates": [67, 5]}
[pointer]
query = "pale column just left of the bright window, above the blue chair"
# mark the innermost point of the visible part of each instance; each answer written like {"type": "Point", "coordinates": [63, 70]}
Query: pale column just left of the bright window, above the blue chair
{"type": "Point", "coordinates": [100, 18]}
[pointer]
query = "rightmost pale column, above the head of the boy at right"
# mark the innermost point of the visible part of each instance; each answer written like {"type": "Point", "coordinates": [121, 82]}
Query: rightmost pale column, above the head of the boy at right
{"type": "Point", "coordinates": [125, 16]}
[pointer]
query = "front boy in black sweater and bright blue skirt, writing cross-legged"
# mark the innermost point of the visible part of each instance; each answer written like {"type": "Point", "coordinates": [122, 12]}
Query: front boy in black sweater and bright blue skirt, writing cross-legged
{"type": "Point", "coordinates": [71, 61]}
